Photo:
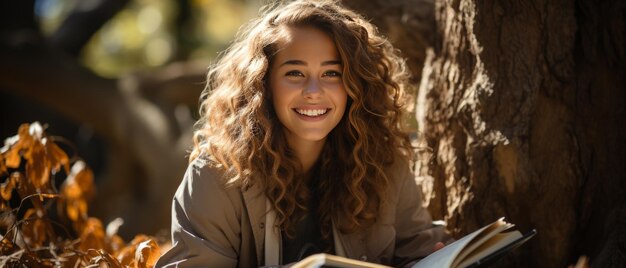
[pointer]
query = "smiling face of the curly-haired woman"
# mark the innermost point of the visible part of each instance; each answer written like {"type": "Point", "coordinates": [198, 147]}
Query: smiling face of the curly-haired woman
{"type": "Point", "coordinates": [306, 84]}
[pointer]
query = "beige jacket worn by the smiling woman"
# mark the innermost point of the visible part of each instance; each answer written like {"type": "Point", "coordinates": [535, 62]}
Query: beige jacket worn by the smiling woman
{"type": "Point", "coordinates": [214, 226]}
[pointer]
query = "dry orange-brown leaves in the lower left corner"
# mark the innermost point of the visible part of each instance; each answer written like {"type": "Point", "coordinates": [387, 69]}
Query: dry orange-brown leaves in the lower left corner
{"type": "Point", "coordinates": [43, 226]}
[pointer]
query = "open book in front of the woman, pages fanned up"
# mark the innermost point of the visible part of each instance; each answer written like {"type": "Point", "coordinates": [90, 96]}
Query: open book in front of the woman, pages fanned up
{"type": "Point", "coordinates": [480, 247]}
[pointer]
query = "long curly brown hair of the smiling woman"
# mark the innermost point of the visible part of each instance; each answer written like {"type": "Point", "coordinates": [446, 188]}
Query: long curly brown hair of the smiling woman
{"type": "Point", "coordinates": [240, 132]}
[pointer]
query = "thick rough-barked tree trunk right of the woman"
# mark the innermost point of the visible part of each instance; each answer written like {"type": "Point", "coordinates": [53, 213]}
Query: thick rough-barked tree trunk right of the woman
{"type": "Point", "coordinates": [523, 104]}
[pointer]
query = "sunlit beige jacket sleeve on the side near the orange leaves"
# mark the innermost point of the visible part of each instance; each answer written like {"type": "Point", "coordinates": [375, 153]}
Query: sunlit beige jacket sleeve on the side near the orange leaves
{"type": "Point", "coordinates": [205, 222]}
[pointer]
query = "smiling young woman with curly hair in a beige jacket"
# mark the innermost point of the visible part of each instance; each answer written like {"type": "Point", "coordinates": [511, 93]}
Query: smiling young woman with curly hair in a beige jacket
{"type": "Point", "coordinates": [299, 149]}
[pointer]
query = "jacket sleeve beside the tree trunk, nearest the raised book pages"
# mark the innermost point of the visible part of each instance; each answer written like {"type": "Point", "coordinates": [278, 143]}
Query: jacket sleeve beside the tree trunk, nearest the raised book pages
{"type": "Point", "coordinates": [416, 235]}
